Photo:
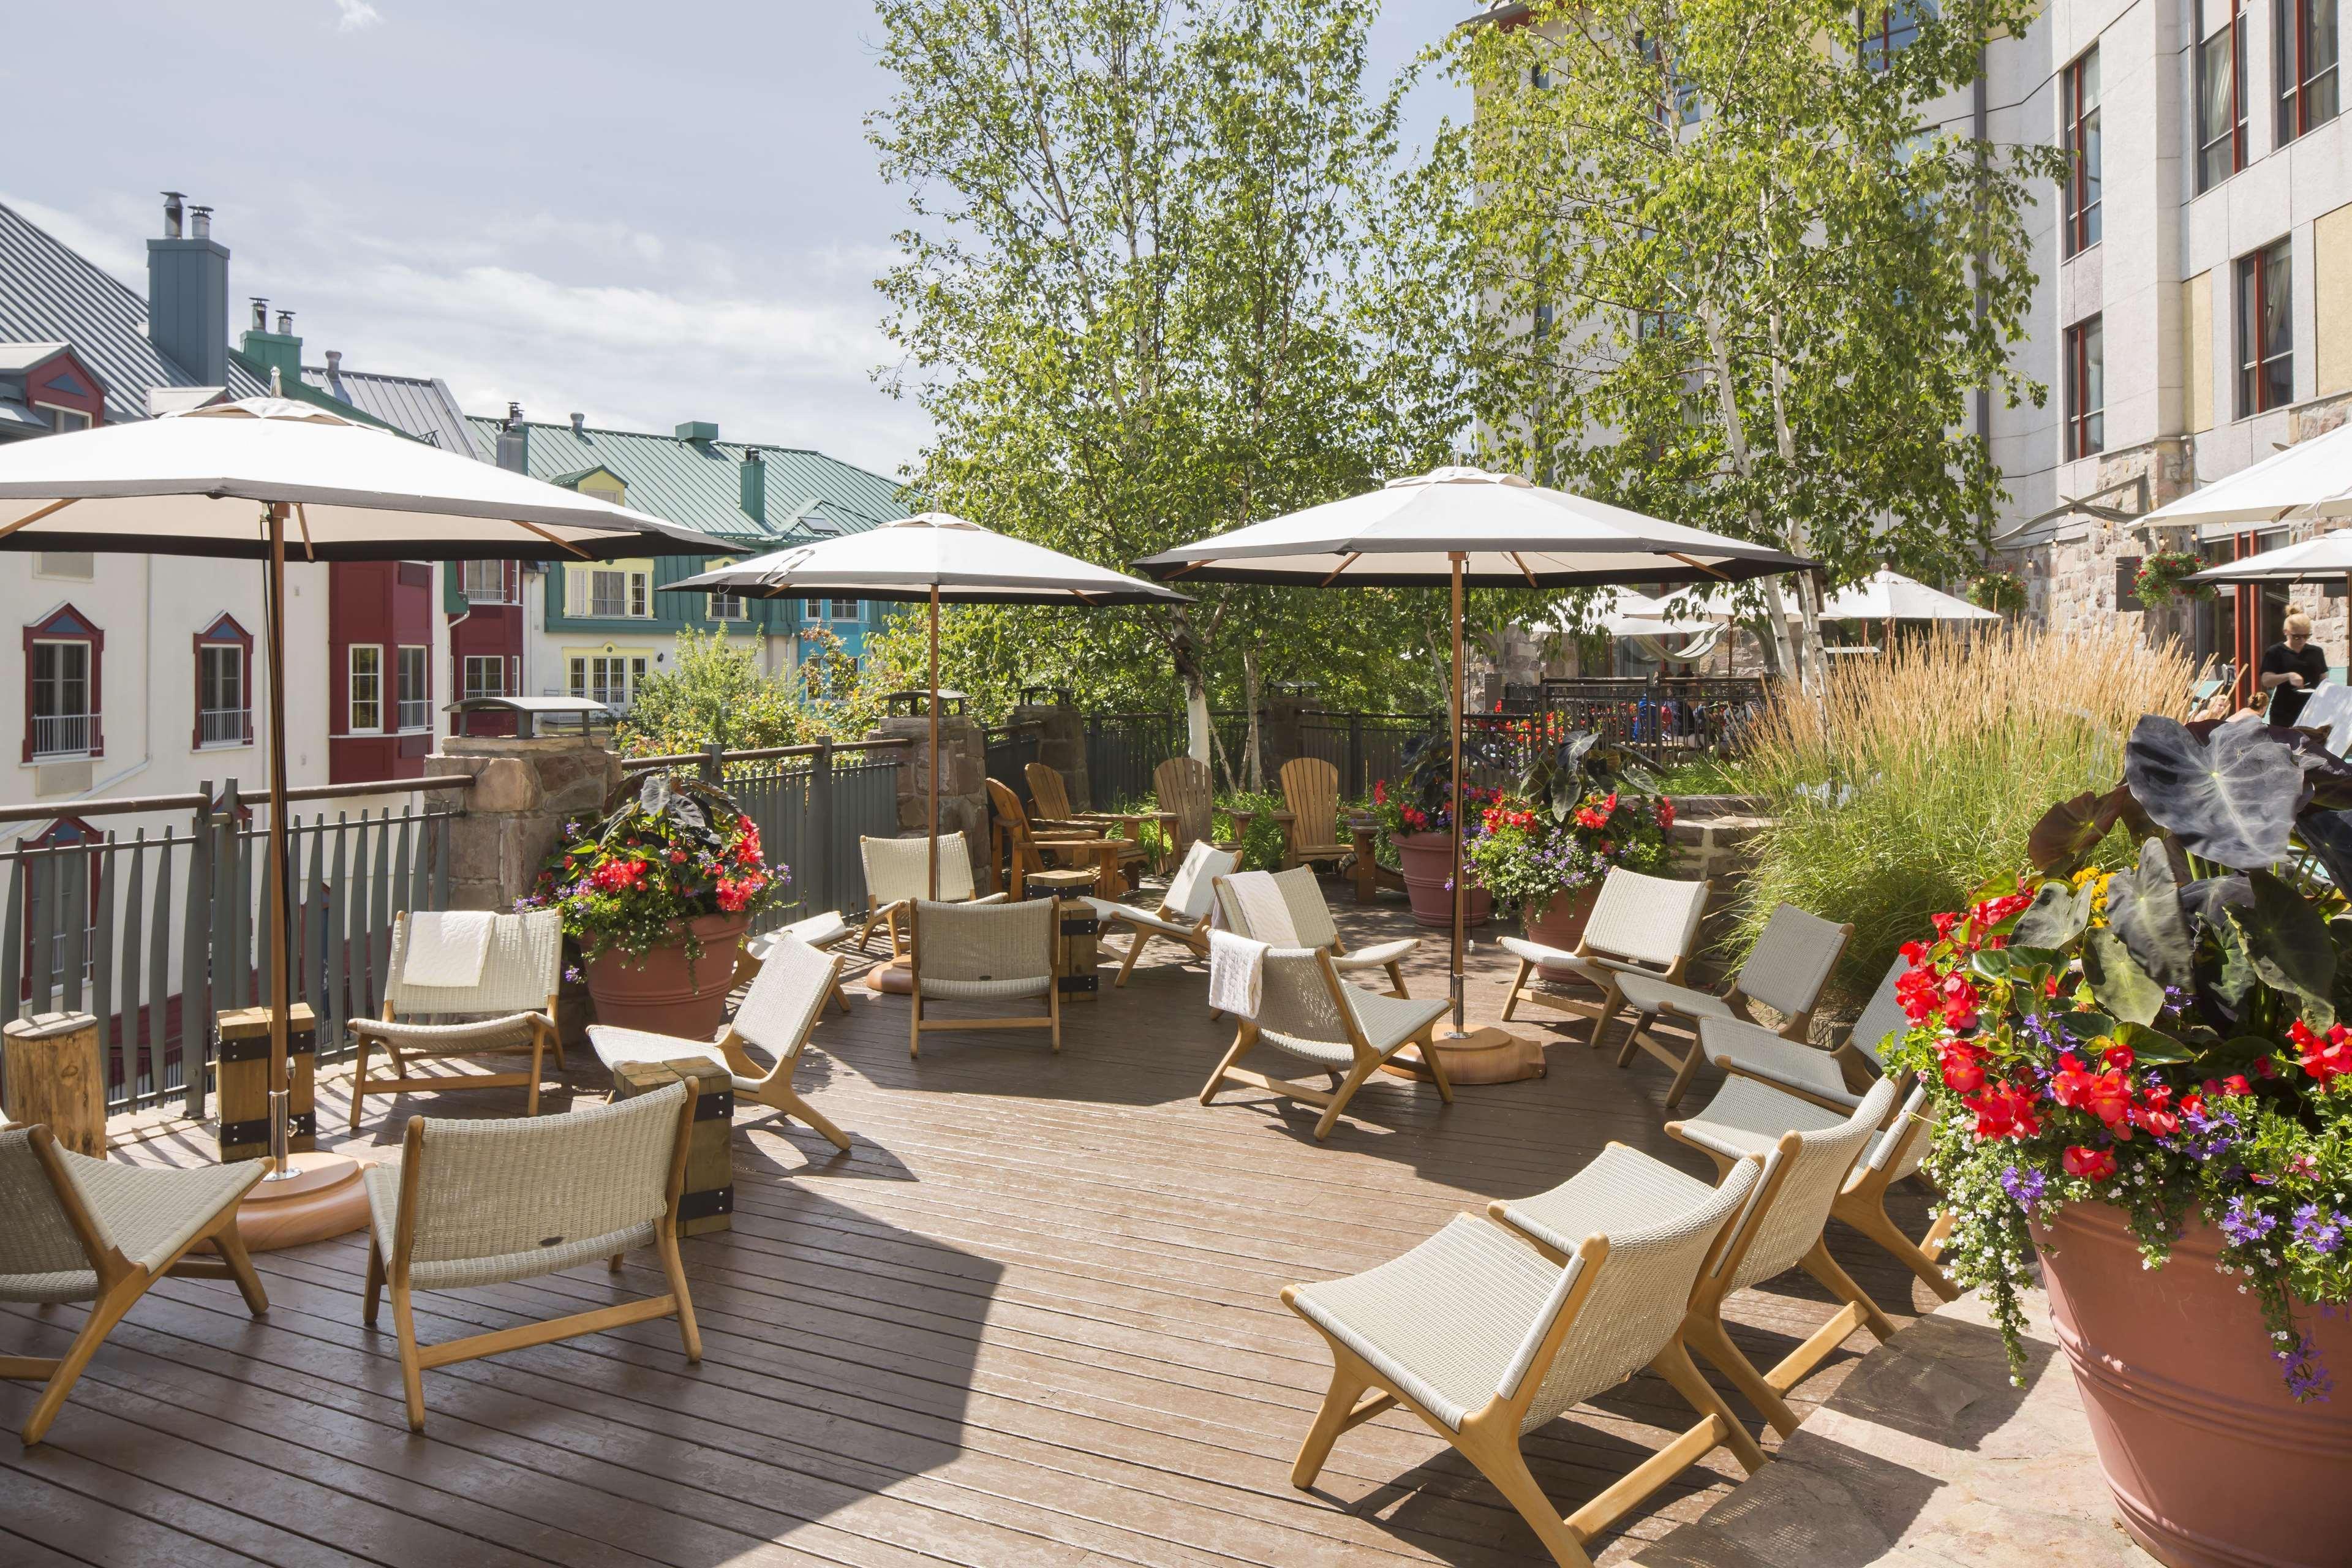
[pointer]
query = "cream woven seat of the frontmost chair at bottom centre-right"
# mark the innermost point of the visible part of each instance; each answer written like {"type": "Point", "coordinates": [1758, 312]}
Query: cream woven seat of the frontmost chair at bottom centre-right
{"type": "Point", "coordinates": [1445, 1320]}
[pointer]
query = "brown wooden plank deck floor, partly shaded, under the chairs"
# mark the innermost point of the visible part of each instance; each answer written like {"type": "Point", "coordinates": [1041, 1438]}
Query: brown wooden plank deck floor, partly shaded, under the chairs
{"type": "Point", "coordinates": [1029, 1320]}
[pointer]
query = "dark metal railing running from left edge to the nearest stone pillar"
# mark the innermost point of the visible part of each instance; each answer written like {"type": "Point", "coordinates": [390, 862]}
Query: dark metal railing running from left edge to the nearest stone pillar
{"type": "Point", "coordinates": [159, 932]}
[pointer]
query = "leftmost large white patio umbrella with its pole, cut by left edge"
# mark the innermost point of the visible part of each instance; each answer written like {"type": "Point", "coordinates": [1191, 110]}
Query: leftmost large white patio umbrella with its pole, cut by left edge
{"type": "Point", "coordinates": [267, 476]}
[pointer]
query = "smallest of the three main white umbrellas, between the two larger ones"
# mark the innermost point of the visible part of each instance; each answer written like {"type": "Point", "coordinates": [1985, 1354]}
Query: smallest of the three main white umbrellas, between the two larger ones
{"type": "Point", "coordinates": [935, 561]}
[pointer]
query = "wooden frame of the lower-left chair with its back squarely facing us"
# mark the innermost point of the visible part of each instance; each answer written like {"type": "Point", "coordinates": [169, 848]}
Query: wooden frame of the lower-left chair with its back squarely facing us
{"type": "Point", "coordinates": [417, 1360]}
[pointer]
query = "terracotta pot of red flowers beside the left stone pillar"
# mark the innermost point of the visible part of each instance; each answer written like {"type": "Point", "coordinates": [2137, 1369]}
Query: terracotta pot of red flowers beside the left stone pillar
{"type": "Point", "coordinates": [657, 897]}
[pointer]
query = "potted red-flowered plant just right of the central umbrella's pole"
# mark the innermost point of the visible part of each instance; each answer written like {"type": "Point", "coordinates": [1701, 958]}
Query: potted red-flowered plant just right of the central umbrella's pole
{"type": "Point", "coordinates": [1546, 847]}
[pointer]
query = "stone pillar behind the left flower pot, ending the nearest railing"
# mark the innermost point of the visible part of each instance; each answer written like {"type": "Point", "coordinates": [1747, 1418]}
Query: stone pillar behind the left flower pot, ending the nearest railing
{"type": "Point", "coordinates": [523, 793]}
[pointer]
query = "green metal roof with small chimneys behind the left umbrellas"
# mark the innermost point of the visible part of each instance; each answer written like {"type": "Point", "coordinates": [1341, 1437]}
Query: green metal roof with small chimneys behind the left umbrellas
{"type": "Point", "coordinates": [700, 485]}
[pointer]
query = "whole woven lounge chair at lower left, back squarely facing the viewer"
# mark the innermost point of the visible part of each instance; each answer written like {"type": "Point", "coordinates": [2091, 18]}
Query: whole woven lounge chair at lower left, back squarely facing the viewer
{"type": "Point", "coordinates": [493, 1202]}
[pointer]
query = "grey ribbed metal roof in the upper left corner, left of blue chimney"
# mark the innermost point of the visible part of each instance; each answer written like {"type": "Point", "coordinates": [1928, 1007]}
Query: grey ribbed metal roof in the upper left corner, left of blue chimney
{"type": "Point", "coordinates": [51, 293]}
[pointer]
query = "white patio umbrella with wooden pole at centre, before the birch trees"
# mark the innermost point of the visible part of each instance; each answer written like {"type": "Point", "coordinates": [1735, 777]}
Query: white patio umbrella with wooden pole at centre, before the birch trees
{"type": "Point", "coordinates": [1466, 528]}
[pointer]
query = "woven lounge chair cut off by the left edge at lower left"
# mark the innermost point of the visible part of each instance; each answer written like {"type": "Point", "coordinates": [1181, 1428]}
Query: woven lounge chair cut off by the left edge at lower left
{"type": "Point", "coordinates": [95, 1231]}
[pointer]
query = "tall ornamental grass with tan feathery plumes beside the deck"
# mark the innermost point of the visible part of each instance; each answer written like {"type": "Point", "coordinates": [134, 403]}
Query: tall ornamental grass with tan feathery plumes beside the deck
{"type": "Point", "coordinates": [1920, 775]}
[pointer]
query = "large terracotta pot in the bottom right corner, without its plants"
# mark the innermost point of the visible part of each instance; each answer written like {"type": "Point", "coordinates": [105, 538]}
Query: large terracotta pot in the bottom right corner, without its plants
{"type": "Point", "coordinates": [2212, 1463]}
